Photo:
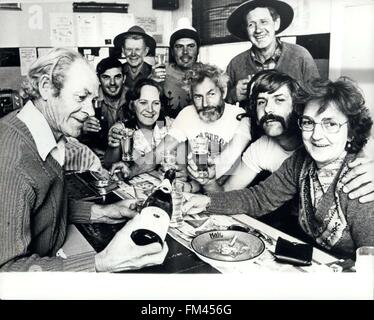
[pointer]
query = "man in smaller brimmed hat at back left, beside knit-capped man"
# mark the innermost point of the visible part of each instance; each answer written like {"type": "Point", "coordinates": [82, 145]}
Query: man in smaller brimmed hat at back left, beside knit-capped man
{"type": "Point", "coordinates": [135, 44]}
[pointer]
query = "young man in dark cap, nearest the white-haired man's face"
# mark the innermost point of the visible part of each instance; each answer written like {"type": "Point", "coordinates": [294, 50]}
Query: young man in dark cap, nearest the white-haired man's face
{"type": "Point", "coordinates": [112, 98]}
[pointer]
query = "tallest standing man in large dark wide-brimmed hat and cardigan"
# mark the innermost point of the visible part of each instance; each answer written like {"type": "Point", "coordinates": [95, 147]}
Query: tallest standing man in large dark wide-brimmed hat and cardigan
{"type": "Point", "coordinates": [259, 21]}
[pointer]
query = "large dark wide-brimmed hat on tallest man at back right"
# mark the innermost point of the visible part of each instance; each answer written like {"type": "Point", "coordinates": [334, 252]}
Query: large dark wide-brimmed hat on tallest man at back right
{"type": "Point", "coordinates": [236, 21]}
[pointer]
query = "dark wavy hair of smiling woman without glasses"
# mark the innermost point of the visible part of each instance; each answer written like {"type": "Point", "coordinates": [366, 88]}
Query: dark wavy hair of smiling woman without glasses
{"type": "Point", "coordinates": [128, 112]}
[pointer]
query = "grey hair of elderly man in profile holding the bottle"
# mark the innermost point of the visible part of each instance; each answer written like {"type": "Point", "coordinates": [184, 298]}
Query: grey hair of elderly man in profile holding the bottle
{"type": "Point", "coordinates": [54, 64]}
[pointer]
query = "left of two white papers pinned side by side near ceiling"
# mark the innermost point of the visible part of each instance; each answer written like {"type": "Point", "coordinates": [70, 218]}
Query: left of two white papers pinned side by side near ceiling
{"type": "Point", "coordinates": [61, 30]}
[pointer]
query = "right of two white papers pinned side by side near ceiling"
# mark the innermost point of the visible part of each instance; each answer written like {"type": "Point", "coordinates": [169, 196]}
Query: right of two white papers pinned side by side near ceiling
{"type": "Point", "coordinates": [88, 31]}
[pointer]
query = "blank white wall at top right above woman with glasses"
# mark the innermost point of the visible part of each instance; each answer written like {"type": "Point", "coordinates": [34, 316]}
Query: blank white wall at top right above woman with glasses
{"type": "Point", "coordinates": [352, 45]}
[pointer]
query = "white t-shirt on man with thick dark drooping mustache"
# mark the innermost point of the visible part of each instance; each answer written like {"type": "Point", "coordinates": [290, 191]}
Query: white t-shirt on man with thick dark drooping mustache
{"type": "Point", "coordinates": [265, 154]}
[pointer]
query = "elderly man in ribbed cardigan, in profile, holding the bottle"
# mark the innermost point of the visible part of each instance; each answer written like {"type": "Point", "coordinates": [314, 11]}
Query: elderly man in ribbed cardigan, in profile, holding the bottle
{"type": "Point", "coordinates": [34, 206]}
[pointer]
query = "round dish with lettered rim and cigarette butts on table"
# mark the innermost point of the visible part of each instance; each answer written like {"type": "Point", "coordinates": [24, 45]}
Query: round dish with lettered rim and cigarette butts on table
{"type": "Point", "coordinates": [227, 246]}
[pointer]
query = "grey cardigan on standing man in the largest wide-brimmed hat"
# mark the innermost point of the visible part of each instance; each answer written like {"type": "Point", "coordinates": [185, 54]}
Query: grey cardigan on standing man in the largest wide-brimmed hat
{"type": "Point", "coordinates": [294, 60]}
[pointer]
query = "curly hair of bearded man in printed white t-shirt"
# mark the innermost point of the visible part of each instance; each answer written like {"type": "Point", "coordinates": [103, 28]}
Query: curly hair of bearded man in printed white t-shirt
{"type": "Point", "coordinates": [200, 71]}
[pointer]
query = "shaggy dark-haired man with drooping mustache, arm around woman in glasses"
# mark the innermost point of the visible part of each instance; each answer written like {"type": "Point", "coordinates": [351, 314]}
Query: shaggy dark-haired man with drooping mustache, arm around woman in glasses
{"type": "Point", "coordinates": [273, 99]}
